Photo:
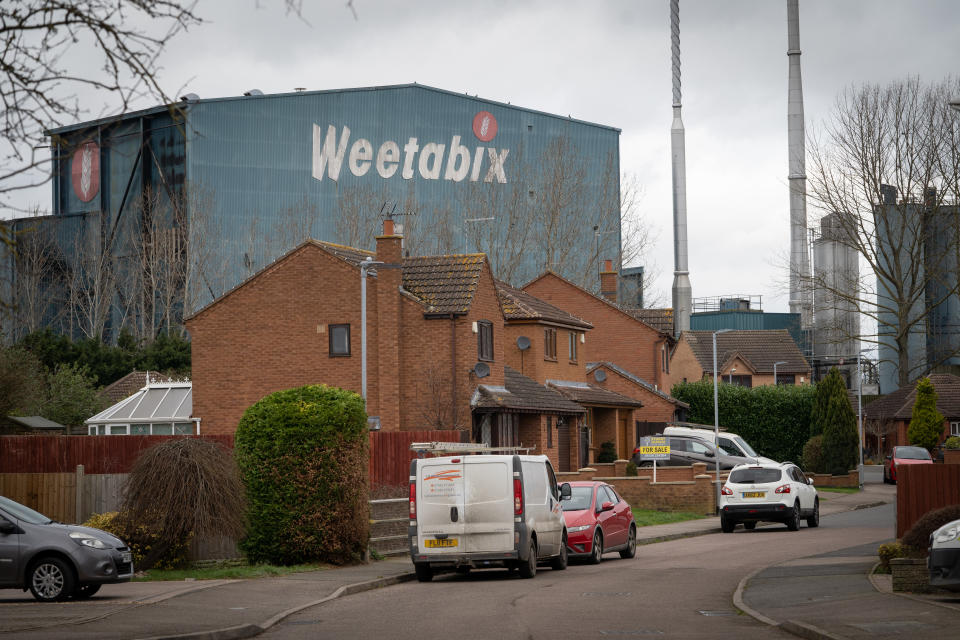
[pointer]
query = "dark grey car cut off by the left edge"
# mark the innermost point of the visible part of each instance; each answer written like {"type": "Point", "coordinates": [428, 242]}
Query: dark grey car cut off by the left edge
{"type": "Point", "coordinates": [57, 561]}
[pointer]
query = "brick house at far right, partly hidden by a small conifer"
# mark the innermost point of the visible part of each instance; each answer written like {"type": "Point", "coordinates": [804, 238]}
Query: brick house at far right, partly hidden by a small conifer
{"type": "Point", "coordinates": [886, 419]}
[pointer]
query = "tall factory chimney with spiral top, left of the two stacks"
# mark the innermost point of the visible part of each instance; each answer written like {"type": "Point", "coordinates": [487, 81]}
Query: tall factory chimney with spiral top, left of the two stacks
{"type": "Point", "coordinates": [682, 292]}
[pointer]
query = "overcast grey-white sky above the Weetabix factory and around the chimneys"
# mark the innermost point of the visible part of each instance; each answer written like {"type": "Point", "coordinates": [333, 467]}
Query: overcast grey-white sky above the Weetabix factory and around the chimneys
{"type": "Point", "coordinates": [609, 63]}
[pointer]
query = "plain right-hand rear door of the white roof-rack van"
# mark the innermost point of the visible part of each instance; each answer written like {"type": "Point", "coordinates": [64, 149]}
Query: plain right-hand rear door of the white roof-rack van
{"type": "Point", "coordinates": [488, 503]}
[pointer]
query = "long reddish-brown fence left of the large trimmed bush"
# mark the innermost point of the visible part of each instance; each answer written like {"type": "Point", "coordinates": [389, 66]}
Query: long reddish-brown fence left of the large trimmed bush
{"type": "Point", "coordinates": [62, 454]}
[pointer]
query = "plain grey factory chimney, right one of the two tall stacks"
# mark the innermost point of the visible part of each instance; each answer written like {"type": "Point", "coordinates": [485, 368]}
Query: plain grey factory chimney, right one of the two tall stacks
{"type": "Point", "coordinates": [800, 301]}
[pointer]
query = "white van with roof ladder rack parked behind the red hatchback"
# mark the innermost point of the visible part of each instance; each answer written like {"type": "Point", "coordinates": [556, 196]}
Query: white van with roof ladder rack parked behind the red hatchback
{"type": "Point", "coordinates": [474, 511]}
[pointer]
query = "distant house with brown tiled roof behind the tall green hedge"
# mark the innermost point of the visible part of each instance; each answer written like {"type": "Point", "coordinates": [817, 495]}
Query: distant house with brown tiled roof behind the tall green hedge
{"type": "Point", "coordinates": [746, 358]}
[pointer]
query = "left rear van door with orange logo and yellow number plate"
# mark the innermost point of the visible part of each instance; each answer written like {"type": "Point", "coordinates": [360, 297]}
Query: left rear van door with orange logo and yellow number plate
{"type": "Point", "coordinates": [440, 489]}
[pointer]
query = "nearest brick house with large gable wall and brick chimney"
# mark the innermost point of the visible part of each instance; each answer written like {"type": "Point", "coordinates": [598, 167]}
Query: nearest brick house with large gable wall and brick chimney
{"type": "Point", "coordinates": [434, 334]}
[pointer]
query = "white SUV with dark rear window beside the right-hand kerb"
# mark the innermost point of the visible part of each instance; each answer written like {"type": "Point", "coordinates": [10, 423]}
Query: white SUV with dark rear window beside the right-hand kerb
{"type": "Point", "coordinates": [768, 492]}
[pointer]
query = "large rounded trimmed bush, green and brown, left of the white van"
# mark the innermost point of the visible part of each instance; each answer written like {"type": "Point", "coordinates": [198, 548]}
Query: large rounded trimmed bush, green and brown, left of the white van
{"type": "Point", "coordinates": [303, 457]}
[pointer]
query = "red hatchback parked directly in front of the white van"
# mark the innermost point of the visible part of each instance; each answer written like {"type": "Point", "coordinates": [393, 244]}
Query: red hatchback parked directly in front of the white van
{"type": "Point", "coordinates": [598, 521]}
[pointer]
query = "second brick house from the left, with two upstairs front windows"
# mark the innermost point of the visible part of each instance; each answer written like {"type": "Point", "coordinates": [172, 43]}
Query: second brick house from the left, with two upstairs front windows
{"type": "Point", "coordinates": [550, 345]}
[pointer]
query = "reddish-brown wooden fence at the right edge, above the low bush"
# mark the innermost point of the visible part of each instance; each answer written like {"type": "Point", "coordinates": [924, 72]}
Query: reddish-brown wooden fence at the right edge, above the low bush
{"type": "Point", "coordinates": [922, 488]}
